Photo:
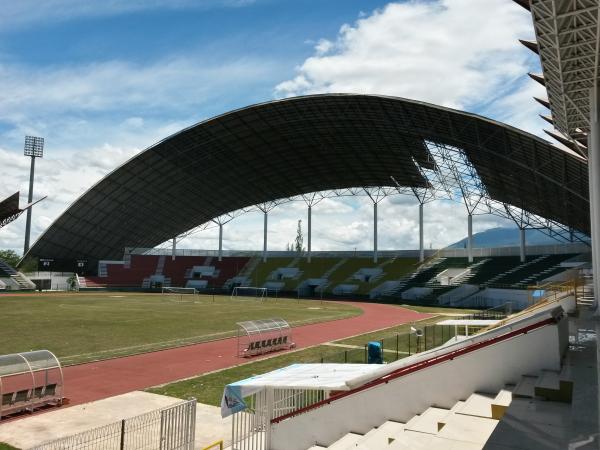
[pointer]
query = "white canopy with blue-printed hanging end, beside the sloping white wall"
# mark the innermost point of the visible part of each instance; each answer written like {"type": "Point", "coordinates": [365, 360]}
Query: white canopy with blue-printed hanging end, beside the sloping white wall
{"type": "Point", "coordinates": [329, 377]}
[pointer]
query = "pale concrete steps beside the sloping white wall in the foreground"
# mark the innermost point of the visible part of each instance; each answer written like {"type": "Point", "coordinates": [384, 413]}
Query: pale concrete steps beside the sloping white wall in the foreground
{"type": "Point", "coordinates": [466, 426]}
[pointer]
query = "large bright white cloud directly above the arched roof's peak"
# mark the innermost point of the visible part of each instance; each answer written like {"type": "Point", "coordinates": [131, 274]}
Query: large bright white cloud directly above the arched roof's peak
{"type": "Point", "coordinates": [455, 53]}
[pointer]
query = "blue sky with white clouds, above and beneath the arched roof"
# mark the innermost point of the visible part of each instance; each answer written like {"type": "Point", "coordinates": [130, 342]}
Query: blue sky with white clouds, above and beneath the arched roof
{"type": "Point", "coordinates": [103, 80]}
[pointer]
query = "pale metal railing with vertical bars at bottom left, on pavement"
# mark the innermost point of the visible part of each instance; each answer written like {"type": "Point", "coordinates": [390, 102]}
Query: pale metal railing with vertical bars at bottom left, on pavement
{"type": "Point", "coordinates": [170, 428]}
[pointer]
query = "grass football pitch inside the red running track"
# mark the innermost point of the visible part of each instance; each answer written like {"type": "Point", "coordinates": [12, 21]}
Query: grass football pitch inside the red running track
{"type": "Point", "coordinates": [81, 327]}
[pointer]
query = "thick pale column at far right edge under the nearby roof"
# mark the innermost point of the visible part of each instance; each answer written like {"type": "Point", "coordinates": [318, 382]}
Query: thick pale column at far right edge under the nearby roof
{"type": "Point", "coordinates": [594, 187]}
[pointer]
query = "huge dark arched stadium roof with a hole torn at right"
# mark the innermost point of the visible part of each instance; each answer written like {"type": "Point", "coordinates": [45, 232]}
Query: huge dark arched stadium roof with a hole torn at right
{"type": "Point", "coordinates": [300, 145]}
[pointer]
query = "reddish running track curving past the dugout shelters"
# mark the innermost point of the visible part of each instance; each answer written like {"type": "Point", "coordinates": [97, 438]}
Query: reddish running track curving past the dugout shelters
{"type": "Point", "coordinates": [102, 379]}
